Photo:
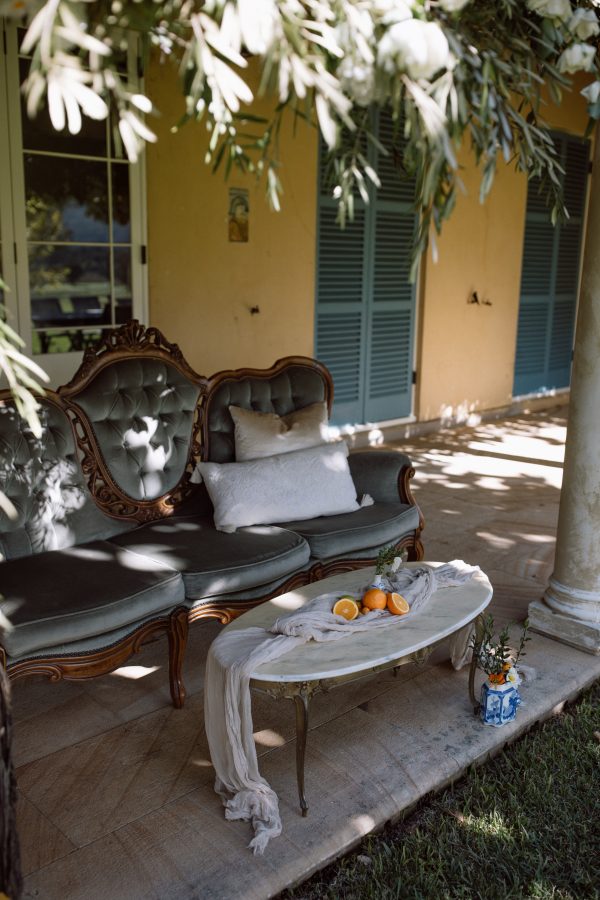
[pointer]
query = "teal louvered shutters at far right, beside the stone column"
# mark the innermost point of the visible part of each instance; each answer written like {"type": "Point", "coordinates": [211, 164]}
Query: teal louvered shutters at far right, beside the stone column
{"type": "Point", "coordinates": [549, 280]}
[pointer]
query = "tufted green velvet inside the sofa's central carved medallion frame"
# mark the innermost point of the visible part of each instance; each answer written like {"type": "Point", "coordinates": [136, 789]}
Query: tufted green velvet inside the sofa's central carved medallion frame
{"type": "Point", "coordinates": [142, 413]}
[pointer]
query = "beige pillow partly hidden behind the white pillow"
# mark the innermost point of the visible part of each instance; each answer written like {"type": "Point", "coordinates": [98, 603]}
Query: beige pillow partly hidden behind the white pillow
{"type": "Point", "coordinates": [260, 434]}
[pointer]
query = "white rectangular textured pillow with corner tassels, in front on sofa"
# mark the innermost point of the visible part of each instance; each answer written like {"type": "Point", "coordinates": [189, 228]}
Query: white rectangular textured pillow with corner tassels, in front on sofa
{"type": "Point", "coordinates": [283, 488]}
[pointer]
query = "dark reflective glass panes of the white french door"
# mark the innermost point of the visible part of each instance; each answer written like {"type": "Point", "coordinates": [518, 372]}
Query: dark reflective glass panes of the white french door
{"type": "Point", "coordinates": [78, 217]}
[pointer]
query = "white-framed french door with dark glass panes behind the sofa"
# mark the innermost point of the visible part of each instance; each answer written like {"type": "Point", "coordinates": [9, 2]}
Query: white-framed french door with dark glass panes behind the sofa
{"type": "Point", "coordinates": [72, 224]}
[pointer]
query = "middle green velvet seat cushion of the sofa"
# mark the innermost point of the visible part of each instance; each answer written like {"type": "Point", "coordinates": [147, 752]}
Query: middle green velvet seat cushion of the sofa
{"type": "Point", "coordinates": [215, 563]}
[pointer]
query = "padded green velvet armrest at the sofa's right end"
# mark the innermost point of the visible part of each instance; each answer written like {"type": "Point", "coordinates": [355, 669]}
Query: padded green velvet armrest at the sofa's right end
{"type": "Point", "coordinates": [384, 474]}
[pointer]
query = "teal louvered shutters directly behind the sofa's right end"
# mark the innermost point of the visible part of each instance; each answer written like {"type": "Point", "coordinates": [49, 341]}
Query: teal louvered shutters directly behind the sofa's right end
{"type": "Point", "coordinates": [365, 305]}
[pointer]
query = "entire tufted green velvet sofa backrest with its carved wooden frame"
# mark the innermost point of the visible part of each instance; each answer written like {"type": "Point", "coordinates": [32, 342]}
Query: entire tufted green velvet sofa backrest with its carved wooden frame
{"type": "Point", "coordinates": [140, 420]}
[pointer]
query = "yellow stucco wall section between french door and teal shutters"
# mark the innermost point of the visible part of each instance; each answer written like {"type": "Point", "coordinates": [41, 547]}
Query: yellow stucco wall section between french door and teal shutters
{"type": "Point", "coordinates": [201, 286]}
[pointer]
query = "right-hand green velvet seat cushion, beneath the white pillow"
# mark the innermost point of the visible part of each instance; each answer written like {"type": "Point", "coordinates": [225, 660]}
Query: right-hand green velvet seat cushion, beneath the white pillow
{"type": "Point", "coordinates": [370, 526]}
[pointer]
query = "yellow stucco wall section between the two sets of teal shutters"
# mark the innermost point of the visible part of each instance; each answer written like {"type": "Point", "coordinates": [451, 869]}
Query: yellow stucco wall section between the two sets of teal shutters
{"type": "Point", "coordinates": [467, 351]}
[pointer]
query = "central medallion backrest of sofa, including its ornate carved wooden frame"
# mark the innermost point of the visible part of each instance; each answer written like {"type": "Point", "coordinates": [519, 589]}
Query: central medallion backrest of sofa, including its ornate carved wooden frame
{"type": "Point", "coordinates": [136, 405]}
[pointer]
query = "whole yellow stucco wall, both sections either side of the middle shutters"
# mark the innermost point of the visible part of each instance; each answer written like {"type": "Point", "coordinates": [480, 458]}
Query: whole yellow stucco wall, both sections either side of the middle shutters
{"type": "Point", "coordinates": [202, 287]}
